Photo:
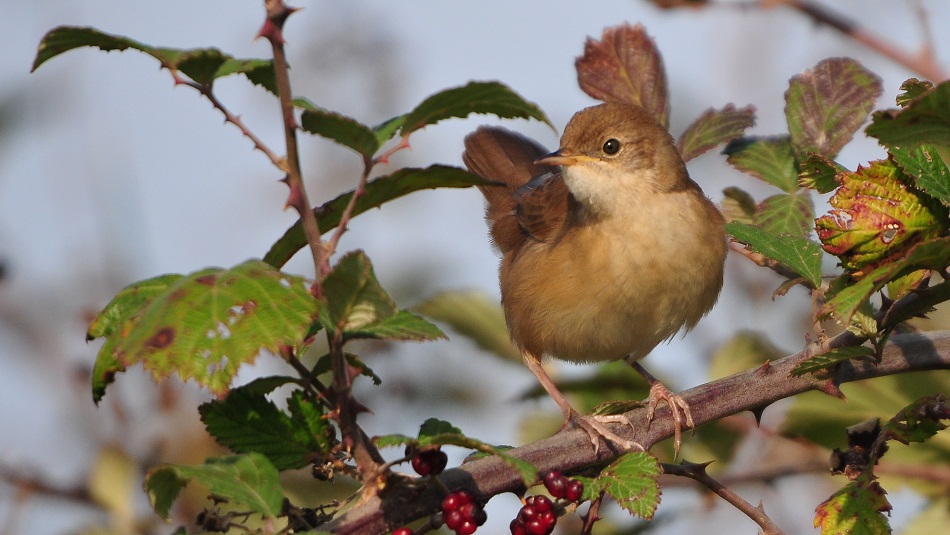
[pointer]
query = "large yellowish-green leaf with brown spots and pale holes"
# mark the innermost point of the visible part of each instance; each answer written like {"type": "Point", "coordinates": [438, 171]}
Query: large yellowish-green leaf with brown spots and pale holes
{"type": "Point", "coordinates": [209, 323]}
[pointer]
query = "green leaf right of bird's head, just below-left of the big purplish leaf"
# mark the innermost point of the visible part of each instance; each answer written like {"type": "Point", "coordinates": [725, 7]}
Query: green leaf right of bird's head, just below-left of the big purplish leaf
{"type": "Point", "coordinates": [769, 159]}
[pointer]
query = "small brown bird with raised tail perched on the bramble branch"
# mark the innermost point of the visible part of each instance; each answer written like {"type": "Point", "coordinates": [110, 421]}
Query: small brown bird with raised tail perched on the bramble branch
{"type": "Point", "coordinates": [608, 247]}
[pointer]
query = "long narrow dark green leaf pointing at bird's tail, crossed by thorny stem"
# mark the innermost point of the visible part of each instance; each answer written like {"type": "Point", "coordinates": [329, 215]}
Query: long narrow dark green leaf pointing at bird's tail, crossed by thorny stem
{"type": "Point", "coordinates": [378, 191]}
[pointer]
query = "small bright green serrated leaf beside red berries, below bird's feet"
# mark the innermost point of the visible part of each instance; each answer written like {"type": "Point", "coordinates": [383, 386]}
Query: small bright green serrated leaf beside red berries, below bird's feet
{"type": "Point", "coordinates": [631, 480]}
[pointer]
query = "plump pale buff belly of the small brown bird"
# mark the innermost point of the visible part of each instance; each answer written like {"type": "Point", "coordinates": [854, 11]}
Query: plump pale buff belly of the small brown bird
{"type": "Point", "coordinates": [623, 296]}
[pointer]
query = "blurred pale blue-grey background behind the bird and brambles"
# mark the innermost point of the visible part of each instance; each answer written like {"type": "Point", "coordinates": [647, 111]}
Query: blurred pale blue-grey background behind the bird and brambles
{"type": "Point", "coordinates": [109, 174]}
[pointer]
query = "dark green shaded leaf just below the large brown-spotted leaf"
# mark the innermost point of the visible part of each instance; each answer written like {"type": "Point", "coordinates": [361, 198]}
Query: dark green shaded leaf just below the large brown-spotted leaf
{"type": "Point", "coordinates": [247, 422]}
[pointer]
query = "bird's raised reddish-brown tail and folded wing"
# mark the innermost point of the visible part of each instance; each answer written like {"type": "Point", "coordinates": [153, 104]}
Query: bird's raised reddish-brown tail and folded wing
{"type": "Point", "coordinates": [530, 201]}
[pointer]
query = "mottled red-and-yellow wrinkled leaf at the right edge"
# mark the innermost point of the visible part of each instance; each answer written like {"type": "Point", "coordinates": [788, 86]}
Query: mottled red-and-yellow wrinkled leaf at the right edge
{"type": "Point", "coordinates": [875, 216]}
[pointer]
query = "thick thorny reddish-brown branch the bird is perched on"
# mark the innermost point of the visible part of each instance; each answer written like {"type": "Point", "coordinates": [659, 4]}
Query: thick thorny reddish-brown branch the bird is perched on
{"type": "Point", "coordinates": [571, 450]}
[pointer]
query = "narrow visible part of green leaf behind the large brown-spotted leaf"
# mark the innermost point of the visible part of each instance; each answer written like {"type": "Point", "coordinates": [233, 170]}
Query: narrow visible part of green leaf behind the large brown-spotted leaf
{"type": "Point", "coordinates": [127, 303]}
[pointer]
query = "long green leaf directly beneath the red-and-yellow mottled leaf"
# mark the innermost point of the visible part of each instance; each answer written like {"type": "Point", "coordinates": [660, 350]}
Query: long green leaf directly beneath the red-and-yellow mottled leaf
{"type": "Point", "coordinates": [934, 254]}
